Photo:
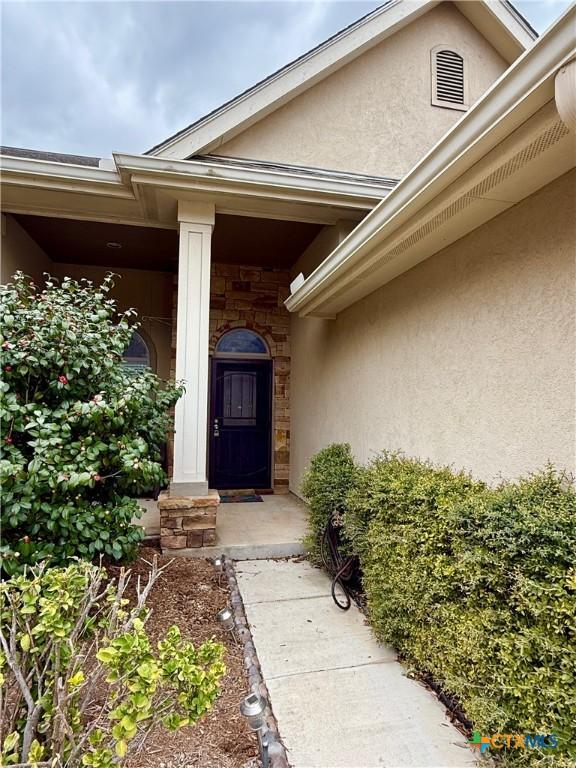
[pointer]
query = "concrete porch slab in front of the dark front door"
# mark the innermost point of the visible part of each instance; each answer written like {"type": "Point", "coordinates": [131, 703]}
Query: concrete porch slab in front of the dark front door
{"type": "Point", "coordinates": [271, 528]}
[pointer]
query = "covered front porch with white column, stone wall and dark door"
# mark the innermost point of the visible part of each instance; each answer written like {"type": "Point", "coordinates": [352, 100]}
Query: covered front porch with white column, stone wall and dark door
{"type": "Point", "coordinates": [206, 252]}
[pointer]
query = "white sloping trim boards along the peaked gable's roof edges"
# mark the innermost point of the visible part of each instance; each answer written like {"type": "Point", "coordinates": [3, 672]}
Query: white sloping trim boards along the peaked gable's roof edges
{"type": "Point", "coordinates": [497, 20]}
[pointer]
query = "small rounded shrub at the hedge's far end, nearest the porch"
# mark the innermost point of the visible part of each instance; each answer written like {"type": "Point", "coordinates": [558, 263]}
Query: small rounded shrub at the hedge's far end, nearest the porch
{"type": "Point", "coordinates": [325, 487]}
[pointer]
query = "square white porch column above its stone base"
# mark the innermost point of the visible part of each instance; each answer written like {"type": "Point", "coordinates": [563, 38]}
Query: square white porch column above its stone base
{"type": "Point", "coordinates": [196, 222]}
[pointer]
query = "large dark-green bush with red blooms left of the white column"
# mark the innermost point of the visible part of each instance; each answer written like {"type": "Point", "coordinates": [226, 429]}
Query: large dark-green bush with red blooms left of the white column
{"type": "Point", "coordinates": [80, 431]}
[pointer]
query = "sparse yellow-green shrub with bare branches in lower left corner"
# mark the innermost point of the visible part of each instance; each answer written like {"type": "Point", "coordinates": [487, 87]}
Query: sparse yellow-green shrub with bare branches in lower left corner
{"type": "Point", "coordinates": [82, 683]}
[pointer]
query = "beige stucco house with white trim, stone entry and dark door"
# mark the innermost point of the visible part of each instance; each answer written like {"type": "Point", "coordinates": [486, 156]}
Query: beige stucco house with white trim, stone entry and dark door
{"type": "Point", "coordinates": [374, 245]}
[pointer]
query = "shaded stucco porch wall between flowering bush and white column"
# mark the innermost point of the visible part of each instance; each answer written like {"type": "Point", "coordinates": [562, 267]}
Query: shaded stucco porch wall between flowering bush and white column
{"type": "Point", "coordinates": [149, 292]}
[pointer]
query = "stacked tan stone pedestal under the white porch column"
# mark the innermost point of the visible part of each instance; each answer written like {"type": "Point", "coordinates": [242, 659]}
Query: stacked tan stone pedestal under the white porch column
{"type": "Point", "coordinates": [187, 522]}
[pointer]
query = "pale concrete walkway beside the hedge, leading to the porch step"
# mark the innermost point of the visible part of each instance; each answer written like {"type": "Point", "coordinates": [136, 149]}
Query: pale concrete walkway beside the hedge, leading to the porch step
{"type": "Point", "coordinates": [341, 699]}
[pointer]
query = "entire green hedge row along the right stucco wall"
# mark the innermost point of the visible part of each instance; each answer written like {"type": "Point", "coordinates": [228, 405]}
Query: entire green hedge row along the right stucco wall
{"type": "Point", "coordinates": [472, 584]}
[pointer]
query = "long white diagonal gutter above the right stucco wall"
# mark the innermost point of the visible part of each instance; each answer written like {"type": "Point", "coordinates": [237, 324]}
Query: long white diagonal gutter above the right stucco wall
{"type": "Point", "coordinates": [503, 108]}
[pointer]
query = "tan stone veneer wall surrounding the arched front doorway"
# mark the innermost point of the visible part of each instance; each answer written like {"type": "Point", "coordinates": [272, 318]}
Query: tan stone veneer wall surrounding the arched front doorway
{"type": "Point", "coordinates": [253, 297]}
